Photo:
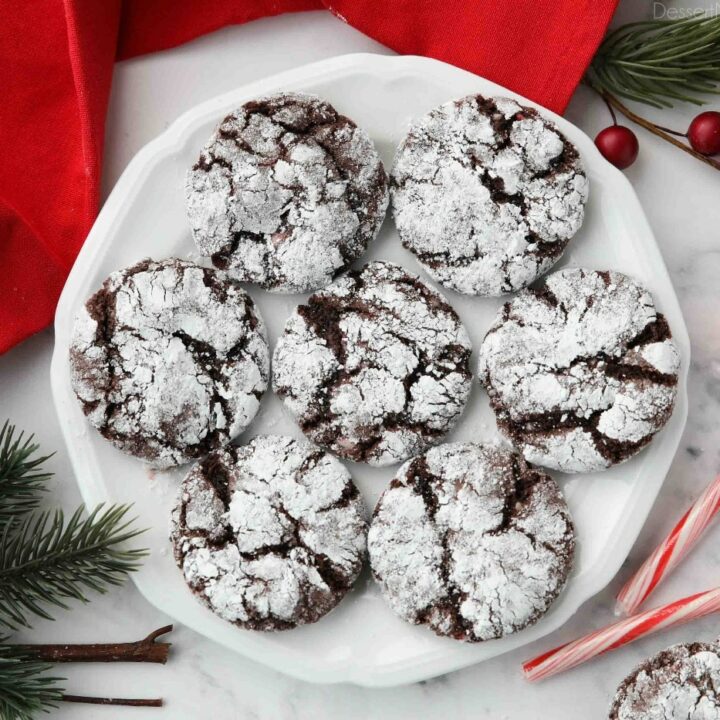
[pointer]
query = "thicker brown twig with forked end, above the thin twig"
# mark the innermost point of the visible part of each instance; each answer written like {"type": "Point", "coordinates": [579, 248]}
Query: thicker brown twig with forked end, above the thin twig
{"type": "Point", "coordinates": [145, 650]}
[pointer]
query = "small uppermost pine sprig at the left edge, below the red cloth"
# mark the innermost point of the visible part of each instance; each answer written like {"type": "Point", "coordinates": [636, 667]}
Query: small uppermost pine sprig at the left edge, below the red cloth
{"type": "Point", "coordinates": [21, 477]}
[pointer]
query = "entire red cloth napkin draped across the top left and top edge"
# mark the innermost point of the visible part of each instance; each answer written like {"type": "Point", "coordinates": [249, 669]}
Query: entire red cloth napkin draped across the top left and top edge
{"type": "Point", "coordinates": [57, 56]}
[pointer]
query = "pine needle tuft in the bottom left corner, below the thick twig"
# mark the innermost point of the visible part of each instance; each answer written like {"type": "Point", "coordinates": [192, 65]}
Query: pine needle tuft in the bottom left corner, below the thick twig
{"type": "Point", "coordinates": [25, 688]}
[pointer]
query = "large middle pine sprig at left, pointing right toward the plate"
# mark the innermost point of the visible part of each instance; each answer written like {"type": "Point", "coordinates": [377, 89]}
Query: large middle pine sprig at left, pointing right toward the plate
{"type": "Point", "coordinates": [45, 560]}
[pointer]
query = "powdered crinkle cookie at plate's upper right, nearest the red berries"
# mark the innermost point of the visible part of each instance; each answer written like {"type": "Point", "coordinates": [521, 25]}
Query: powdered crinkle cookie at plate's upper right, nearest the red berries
{"type": "Point", "coordinates": [487, 193]}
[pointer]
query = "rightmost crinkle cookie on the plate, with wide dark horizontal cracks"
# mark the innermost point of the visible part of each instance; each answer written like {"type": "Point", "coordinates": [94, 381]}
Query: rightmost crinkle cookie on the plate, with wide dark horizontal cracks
{"type": "Point", "coordinates": [582, 371]}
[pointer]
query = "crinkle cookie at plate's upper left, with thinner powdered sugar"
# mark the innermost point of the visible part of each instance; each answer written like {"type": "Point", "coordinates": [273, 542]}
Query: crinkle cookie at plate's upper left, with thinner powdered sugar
{"type": "Point", "coordinates": [286, 193]}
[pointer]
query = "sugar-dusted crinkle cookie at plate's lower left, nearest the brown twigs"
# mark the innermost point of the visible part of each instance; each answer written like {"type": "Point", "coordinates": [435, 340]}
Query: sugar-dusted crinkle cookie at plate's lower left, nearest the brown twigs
{"type": "Point", "coordinates": [269, 535]}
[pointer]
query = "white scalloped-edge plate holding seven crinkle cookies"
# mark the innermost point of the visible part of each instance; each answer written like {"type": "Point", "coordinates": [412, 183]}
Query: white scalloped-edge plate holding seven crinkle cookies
{"type": "Point", "coordinates": [361, 641]}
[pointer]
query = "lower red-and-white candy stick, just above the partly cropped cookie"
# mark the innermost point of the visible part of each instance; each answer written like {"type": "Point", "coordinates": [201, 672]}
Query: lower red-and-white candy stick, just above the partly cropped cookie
{"type": "Point", "coordinates": [621, 633]}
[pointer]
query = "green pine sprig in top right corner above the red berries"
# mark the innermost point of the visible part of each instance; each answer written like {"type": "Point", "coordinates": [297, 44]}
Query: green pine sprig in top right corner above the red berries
{"type": "Point", "coordinates": [659, 61]}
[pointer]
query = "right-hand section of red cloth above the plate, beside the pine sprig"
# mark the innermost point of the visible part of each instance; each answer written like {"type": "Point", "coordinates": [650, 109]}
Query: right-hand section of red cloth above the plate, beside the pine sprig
{"type": "Point", "coordinates": [538, 48]}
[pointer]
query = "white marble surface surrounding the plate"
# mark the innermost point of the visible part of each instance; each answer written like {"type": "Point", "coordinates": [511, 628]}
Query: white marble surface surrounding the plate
{"type": "Point", "coordinates": [204, 680]}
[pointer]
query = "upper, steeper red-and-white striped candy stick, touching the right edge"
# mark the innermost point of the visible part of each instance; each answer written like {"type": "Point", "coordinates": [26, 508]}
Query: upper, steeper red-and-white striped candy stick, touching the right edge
{"type": "Point", "coordinates": [671, 550]}
